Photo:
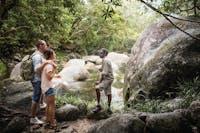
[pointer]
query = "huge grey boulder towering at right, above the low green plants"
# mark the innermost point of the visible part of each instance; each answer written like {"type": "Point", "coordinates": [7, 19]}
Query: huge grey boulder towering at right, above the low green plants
{"type": "Point", "coordinates": [161, 56]}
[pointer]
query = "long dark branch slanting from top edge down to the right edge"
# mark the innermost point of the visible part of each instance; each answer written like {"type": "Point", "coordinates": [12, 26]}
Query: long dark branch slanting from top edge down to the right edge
{"type": "Point", "coordinates": [165, 16]}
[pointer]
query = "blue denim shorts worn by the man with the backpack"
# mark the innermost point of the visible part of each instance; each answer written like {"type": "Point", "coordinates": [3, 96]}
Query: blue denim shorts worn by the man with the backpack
{"type": "Point", "coordinates": [36, 91]}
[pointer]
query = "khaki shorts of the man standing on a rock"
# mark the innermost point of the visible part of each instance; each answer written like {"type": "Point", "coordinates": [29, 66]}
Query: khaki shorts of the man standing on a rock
{"type": "Point", "coordinates": [105, 85]}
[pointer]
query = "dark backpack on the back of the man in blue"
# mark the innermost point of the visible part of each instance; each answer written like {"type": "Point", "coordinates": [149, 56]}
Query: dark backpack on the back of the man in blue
{"type": "Point", "coordinates": [26, 69]}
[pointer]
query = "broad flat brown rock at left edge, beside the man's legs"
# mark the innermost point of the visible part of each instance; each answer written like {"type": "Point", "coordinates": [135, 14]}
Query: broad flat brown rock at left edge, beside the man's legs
{"type": "Point", "coordinates": [16, 94]}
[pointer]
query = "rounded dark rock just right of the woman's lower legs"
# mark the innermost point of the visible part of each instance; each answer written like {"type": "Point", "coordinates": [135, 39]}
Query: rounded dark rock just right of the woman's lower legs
{"type": "Point", "coordinates": [67, 112]}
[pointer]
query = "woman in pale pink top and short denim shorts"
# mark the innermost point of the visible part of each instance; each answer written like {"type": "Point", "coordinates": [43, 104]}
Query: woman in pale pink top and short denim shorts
{"type": "Point", "coordinates": [48, 73]}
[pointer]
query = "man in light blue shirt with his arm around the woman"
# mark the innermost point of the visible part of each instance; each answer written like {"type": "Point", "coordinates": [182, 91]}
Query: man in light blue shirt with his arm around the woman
{"type": "Point", "coordinates": [38, 65]}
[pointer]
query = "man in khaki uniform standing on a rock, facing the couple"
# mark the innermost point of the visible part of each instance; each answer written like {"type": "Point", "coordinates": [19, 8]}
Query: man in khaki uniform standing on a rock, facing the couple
{"type": "Point", "coordinates": [105, 80]}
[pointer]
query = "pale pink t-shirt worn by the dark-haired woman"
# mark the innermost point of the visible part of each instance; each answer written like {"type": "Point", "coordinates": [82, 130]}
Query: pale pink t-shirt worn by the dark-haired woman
{"type": "Point", "coordinates": [46, 83]}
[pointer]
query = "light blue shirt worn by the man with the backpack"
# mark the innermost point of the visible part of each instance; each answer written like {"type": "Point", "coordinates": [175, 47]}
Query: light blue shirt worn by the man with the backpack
{"type": "Point", "coordinates": [37, 60]}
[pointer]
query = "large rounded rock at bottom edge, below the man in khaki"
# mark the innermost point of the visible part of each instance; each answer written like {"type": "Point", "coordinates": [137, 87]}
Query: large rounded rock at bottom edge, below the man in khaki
{"type": "Point", "coordinates": [125, 123]}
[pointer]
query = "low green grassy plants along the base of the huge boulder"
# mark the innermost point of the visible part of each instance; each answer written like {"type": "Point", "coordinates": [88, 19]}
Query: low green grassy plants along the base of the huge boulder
{"type": "Point", "coordinates": [189, 92]}
